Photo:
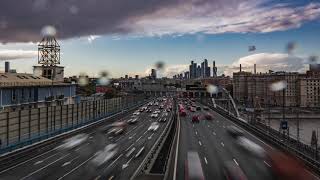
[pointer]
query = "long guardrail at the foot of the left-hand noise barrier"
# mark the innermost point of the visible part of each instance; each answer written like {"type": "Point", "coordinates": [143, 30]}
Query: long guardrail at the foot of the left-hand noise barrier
{"type": "Point", "coordinates": [10, 159]}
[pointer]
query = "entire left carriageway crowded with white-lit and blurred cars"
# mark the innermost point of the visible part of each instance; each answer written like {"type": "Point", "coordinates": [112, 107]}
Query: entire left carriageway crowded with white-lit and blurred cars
{"type": "Point", "coordinates": [112, 151]}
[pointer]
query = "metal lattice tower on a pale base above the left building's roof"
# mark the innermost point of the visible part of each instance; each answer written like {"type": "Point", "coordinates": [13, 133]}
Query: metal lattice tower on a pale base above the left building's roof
{"type": "Point", "coordinates": [49, 59]}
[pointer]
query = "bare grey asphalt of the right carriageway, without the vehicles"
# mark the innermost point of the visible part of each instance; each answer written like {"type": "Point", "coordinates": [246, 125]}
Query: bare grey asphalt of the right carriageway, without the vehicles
{"type": "Point", "coordinates": [215, 147]}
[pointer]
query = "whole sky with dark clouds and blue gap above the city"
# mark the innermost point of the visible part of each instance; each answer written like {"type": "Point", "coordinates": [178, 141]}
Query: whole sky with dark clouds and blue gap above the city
{"type": "Point", "coordinates": [130, 37]}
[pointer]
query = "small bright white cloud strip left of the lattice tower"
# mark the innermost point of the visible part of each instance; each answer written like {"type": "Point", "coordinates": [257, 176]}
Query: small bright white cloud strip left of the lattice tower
{"type": "Point", "coordinates": [17, 54]}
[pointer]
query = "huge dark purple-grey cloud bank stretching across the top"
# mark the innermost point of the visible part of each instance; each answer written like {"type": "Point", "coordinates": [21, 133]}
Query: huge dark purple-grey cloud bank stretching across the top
{"type": "Point", "coordinates": [78, 18]}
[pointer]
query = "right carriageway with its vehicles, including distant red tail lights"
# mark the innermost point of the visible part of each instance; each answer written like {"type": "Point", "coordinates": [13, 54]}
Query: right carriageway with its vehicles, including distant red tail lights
{"type": "Point", "coordinates": [213, 147]}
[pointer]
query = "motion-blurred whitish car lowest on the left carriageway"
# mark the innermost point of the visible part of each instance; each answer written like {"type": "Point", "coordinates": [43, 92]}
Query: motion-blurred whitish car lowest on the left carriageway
{"type": "Point", "coordinates": [105, 155]}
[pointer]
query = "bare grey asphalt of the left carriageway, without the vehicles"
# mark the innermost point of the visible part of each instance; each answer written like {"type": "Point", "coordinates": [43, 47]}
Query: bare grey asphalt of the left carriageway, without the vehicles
{"type": "Point", "coordinates": [76, 163]}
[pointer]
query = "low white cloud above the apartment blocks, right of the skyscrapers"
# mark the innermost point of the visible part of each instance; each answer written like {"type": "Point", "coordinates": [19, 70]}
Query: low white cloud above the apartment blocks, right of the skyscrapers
{"type": "Point", "coordinates": [268, 61]}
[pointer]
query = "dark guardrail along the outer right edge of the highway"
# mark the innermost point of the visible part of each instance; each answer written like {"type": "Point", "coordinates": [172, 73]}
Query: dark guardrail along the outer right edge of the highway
{"type": "Point", "coordinates": [310, 162]}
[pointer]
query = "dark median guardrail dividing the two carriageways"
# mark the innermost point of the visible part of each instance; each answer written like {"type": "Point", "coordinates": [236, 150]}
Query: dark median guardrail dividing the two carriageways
{"type": "Point", "coordinates": [147, 163]}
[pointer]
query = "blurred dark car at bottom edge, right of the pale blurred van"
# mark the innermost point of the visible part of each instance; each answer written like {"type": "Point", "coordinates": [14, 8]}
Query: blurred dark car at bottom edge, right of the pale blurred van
{"type": "Point", "coordinates": [233, 172]}
